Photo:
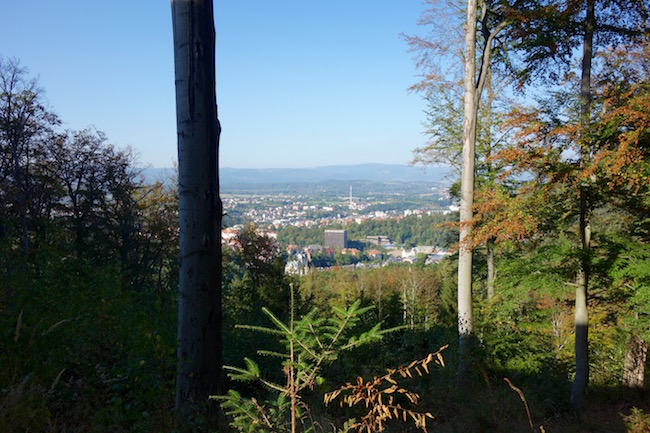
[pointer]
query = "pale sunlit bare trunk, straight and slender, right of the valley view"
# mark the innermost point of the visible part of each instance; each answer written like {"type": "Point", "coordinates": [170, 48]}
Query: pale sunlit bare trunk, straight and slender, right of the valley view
{"type": "Point", "coordinates": [465, 313]}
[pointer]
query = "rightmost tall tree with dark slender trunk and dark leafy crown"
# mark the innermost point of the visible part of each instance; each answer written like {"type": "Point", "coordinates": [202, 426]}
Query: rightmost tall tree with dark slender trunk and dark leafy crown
{"type": "Point", "coordinates": [550, 33]}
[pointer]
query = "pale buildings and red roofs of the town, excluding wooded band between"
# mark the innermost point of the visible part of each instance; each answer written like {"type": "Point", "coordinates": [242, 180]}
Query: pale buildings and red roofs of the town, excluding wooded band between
{"type": "Point", "coordinates": [330, 243]}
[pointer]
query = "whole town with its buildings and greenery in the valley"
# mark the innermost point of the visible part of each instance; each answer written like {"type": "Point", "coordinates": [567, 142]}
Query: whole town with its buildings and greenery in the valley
{"type": "Point", "coordinates": [324, 224]}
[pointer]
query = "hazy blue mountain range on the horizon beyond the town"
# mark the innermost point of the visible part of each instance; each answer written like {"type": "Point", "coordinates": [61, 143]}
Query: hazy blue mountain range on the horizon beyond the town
{"type": "Point", "coordinates": [359, 172]}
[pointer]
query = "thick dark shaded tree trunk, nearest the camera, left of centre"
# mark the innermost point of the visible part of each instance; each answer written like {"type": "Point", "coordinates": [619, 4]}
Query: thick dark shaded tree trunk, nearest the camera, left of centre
{"type": "Point", "coordinates": [199, 298]}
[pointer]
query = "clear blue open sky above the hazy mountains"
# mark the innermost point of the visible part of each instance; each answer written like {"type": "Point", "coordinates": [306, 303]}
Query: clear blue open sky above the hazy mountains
{"type": "Point", "coordinates": [300, 83]}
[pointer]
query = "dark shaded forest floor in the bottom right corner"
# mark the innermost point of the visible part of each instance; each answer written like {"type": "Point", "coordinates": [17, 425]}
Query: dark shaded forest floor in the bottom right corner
{"type": "Point", "coordinates": [501, 409]}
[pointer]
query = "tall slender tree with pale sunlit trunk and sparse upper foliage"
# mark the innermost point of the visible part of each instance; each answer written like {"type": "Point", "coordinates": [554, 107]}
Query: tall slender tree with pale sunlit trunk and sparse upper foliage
{"type": "Point", "coordinates": [441, 85]}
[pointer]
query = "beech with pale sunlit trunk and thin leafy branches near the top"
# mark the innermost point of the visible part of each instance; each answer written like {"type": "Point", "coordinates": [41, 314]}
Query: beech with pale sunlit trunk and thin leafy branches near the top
{"type": "Point", "coordinates": [444, 130]}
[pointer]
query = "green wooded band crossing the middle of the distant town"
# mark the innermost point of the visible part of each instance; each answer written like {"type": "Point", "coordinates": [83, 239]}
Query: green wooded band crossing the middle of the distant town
{"type": "Point", "coordinates": [432, 230]}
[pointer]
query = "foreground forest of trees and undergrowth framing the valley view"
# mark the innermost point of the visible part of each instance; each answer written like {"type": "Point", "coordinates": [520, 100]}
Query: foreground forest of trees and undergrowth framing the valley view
{"type": "Point", "coordinates": [116, 316]}
